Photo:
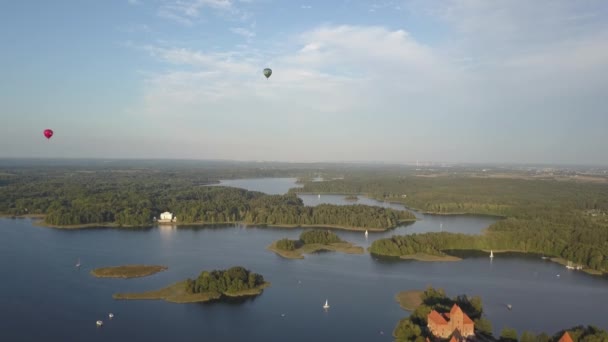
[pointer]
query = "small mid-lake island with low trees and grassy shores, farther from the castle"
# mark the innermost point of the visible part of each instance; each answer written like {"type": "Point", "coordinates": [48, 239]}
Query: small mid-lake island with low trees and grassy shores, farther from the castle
{"type": "Point", "coordinates": [313, 241]}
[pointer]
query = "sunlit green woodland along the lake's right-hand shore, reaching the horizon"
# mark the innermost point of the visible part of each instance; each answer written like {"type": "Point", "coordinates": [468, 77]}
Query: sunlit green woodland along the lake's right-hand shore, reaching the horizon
{"type": "Point", "coordinates": [557, 218]}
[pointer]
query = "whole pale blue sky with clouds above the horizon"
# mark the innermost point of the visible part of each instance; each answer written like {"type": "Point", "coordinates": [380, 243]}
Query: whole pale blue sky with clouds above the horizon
{"type": "Point", "coordinates": [513, 81]}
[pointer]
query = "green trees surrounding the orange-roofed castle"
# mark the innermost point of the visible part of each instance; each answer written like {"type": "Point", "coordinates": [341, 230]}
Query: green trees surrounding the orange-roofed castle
{"type": "Point", "coordinates": [413, 328]}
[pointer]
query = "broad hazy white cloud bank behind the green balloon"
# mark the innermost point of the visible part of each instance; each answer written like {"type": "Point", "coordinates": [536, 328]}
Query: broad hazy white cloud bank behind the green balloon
{"type": "Point", "coordinates": [500, 76]}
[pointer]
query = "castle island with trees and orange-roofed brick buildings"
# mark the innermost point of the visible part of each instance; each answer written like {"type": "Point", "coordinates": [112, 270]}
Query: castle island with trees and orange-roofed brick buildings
{"type": "Point", "coordinates": [432, 318]}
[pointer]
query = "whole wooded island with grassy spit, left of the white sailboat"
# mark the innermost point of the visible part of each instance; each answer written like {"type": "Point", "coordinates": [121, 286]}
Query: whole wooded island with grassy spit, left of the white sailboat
{"type": "Point", "coordinates": [235, 282]}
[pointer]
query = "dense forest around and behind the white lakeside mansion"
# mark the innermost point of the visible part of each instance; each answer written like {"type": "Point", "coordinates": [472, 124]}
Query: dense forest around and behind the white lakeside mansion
{"type": "Point", "coordinates": [135, 197]}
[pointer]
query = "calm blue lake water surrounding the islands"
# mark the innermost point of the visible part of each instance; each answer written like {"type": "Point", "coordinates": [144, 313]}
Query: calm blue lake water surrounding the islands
{"type": "Point", "coordinates": [43, 297]}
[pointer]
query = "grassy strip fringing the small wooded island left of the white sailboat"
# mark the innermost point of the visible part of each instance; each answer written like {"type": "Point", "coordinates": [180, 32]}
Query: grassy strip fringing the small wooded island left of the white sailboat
{"type": "Point", "coordinates": [176, 293]}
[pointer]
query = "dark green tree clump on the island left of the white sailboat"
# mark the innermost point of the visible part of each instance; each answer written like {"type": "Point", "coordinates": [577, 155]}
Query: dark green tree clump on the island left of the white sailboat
{"type": "Point", "coordinates": [232, 280]}
